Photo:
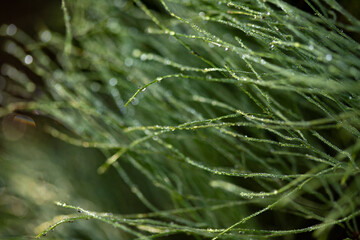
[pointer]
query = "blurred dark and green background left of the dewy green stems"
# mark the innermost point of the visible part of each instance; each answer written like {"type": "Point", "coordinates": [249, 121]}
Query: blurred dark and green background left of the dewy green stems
{"type": "Point", "coordinates": [36, 169]}
